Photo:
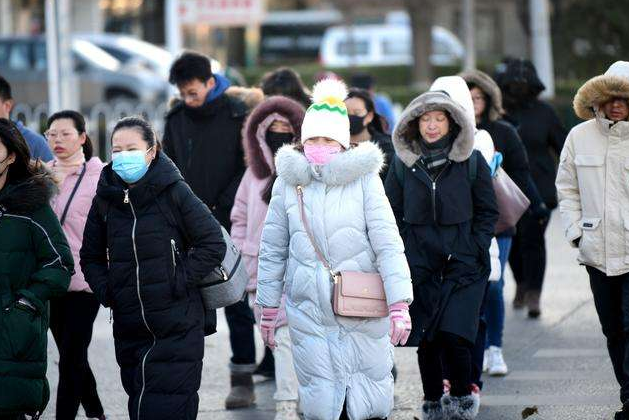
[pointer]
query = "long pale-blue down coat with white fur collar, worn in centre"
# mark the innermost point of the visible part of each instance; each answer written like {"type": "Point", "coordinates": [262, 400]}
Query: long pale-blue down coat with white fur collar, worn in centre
{"type": "Point", "coordinates": [337, 359]}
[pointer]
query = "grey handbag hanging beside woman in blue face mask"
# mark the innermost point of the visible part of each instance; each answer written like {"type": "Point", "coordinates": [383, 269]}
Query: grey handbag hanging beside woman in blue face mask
{"type": "Point", "coordinates": [225, 285]}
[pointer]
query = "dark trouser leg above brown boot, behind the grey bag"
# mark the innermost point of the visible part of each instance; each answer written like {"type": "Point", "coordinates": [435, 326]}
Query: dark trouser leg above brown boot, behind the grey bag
{"type": "Point", "coordinates": [241, 322]}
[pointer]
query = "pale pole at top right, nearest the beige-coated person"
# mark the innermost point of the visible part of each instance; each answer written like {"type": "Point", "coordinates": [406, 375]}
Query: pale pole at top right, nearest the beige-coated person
{"type": "Point", "coordinates": [541, 44]}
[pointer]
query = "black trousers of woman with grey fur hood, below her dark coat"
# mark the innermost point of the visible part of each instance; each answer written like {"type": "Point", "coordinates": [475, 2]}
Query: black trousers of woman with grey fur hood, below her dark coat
{"type": "Point", "coordinates": [447, 356]}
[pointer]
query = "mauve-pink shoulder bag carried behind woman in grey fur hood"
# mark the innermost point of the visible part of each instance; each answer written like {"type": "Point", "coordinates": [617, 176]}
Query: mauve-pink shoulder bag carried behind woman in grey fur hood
{"type": "Point", "coordinates": [512, 203]}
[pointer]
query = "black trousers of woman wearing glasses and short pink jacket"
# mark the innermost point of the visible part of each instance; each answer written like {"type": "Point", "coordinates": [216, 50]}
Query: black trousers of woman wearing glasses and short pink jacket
{"type": "Point", "coordinates": [71, 320]}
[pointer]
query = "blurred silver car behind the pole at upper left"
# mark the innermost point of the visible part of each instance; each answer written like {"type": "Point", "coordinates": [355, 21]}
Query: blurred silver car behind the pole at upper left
{"type": "Point", "coordinates": [101, 76]}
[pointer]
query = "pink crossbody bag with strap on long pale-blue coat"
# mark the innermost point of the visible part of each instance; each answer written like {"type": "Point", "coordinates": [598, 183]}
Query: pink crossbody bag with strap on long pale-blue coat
{"type": "Point", "coordinates": [355, 294]}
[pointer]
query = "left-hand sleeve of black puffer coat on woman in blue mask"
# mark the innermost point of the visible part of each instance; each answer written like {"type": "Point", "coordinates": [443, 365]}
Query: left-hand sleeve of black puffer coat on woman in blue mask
{"type": "Point", "coordinates": [94, 262]}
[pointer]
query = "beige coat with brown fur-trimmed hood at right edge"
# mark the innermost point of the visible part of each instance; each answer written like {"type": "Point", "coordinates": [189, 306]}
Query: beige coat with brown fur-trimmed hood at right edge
{"type": "Point", "coordinates": [593, 177]}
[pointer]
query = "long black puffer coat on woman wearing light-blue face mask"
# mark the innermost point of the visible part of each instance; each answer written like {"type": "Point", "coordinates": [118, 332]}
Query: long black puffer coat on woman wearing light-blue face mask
{"type": "Point", "coordinates": [134, 260]}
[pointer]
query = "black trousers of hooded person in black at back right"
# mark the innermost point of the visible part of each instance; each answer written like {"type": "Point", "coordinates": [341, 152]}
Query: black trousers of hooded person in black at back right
{"type": "Point", "coordinates": [528, 253]}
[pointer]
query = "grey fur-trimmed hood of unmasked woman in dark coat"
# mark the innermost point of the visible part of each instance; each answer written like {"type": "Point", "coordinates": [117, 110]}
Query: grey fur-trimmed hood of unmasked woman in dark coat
{"type": "Point", "coordinates": [408, 149]}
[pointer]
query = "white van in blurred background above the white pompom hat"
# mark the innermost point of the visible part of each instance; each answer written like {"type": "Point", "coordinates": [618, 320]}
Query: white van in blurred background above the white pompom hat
{"type": "Point", "coordinates": [384, 45]}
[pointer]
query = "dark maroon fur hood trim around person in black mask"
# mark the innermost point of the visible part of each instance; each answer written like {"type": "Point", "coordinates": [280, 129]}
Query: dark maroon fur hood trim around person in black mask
{"type": "Point", "coordinates": [257, 153]}
